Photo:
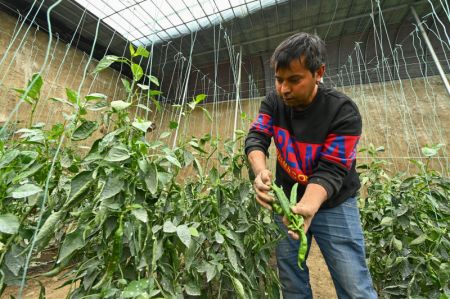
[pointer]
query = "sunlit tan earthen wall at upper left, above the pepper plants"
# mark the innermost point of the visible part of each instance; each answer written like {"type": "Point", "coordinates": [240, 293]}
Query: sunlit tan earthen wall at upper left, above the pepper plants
{"type": "Point", "coordinates": [65, 68]}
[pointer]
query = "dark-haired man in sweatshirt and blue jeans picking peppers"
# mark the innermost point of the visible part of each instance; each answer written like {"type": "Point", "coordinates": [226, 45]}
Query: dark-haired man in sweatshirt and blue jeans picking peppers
{"type": "Point", "coordinates": [315, 130]}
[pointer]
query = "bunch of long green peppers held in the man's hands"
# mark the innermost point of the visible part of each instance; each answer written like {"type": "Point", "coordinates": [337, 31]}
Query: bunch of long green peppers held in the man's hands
{"type": "Point", "coordinates": [282, 206]}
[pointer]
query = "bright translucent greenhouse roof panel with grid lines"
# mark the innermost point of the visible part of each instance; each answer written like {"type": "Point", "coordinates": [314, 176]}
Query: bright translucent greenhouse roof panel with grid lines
{"type": "Point", "coordinates": [152, 21]}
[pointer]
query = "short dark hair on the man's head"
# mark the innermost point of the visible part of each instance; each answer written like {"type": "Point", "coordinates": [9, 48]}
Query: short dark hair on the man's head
{"type": "Point", "coordinates": [296, 46]}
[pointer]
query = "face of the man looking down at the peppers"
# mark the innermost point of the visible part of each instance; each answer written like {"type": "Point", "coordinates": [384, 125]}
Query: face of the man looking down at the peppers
{"type": "Point", "coordinates": [296, 85]}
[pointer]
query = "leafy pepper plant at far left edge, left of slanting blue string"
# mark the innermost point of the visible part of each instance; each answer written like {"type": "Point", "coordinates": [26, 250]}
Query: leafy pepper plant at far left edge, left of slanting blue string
{"type": "Point", "coordinates": [25, 156]}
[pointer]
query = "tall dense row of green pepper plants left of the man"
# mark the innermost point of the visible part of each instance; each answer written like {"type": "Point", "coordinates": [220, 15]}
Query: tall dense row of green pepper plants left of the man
{"type": "Point", "coordinates": [124, 220]}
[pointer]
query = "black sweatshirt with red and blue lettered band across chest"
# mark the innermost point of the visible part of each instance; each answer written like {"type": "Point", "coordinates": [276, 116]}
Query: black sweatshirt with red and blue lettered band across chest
{"type": "Point", "coordinates": [315, 145]}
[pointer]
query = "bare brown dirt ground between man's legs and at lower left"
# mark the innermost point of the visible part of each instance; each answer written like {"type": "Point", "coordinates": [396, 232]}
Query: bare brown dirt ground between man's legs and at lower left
{"type": "Point", "coordinates": [321, 282]}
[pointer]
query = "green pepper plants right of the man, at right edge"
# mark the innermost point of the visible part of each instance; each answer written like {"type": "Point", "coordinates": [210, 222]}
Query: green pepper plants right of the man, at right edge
{"type": "Point", "coordinates": [406, 219]}
